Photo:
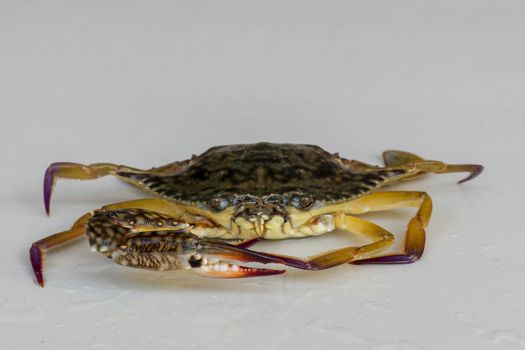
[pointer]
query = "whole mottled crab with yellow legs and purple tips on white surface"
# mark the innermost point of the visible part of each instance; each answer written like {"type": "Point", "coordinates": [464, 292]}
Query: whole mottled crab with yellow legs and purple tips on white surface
{"type": "Point", "coordinates": [209, 210]}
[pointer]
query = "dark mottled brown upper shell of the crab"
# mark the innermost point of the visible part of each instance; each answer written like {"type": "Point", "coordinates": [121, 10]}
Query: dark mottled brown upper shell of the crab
{"type": "Point", "coordinates": [293, 175]}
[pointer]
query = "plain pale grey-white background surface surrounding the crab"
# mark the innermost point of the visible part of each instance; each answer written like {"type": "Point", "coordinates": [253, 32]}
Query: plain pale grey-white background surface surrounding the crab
{"type": "Point", "coordinates": [146, 83]}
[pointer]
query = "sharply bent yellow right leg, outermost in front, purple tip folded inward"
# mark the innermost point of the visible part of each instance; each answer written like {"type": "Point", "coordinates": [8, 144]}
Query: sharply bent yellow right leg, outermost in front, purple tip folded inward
{"type": "Point", "coordinates": [415, 234]}
